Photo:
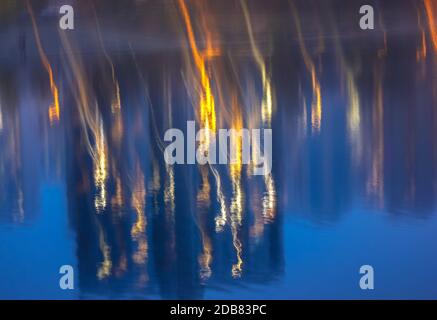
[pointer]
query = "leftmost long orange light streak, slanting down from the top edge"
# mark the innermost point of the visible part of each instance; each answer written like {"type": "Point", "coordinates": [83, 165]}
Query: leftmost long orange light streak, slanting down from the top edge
{"type": "Point", "coordinates": [54, 109]}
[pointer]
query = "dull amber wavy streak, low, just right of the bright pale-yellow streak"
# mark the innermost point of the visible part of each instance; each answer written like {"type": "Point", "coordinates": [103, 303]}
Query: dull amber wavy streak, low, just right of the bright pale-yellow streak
{"type": "Point", "coordinates": [138, 231]}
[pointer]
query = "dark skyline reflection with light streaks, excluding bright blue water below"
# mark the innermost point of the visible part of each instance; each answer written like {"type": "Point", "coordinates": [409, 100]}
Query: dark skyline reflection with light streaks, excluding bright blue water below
{"type": "Point", "coordinates": [144, 228]}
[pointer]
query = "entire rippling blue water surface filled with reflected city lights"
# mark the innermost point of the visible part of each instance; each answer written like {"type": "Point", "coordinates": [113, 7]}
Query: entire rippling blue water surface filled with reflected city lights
{"type": "Point", "coordinates": [84, 182]}
